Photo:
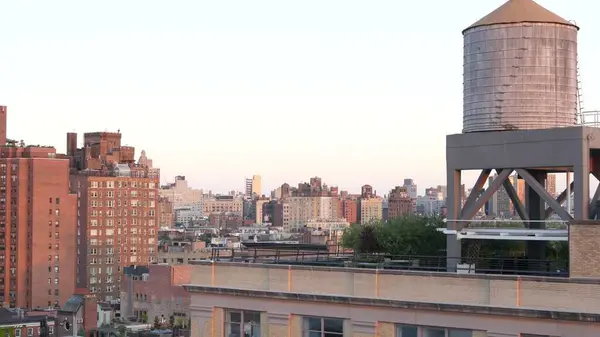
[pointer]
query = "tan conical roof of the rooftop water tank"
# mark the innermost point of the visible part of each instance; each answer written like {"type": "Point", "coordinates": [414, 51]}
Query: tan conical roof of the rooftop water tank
{"type": "Point", "coordinates": [518, 11]}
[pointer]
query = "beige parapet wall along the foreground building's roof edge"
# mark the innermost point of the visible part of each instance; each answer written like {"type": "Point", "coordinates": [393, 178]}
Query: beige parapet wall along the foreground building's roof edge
{"type": "Point", "coordinates": [500, 291]}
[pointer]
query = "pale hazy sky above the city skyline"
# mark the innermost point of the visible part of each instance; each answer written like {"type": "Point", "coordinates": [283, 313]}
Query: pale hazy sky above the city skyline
{"type": "Point", "coordinates": [353, 91]}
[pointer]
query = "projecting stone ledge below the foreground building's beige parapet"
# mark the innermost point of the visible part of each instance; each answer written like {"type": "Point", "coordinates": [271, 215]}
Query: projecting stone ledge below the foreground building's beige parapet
{"type": "Point", "coordinates": [443, 307]}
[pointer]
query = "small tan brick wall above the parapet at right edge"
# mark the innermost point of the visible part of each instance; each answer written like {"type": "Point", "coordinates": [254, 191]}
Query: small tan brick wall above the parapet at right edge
{"type": "Point", "coordinates": [584, 240]}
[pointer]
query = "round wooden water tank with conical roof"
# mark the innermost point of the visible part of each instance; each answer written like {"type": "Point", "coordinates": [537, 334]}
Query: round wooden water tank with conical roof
{"type": "Point", "coordinates": [520, 70]}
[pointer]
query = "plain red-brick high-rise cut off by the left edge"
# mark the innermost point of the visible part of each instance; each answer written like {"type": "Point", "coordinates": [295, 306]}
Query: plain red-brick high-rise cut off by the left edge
{"type": "Point", "coordinates": [37, 225]}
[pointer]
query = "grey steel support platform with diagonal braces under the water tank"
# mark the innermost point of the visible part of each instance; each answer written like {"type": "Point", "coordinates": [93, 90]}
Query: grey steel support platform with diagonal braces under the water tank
{"type": "Point", "coordinates": [532, 154]}
